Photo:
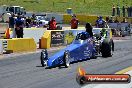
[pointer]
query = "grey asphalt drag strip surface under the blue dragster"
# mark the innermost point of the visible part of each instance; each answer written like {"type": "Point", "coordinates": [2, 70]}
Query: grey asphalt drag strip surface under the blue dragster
{"type": "Point", "coordinates": [25, 71]}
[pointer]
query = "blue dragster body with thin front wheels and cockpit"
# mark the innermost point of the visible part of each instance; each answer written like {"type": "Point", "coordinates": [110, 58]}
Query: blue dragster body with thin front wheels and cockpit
{"type": "Point", "coordinates": [81, 48]}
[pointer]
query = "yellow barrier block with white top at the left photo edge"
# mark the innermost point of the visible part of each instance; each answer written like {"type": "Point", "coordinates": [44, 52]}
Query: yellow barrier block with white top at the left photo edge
{"type": "Point", "coordinates": [19, 44]}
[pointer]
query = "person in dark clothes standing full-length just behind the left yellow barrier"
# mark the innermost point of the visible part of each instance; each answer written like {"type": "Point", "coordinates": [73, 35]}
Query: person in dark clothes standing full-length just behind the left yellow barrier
{"type": "Point", "coordinates": [19, 26]}
